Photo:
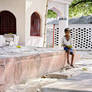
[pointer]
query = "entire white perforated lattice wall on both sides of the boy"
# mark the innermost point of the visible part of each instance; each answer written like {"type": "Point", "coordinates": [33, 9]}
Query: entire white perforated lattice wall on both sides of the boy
{"type": "Point", "coordinates": [81, 35]}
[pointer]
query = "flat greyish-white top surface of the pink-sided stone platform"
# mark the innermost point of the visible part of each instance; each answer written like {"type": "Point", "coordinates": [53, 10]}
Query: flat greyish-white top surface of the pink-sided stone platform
{"type": "Point", "coordinates": [24, 51]}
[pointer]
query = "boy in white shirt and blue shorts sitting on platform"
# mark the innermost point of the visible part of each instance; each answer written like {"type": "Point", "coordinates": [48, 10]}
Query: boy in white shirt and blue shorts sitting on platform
{"type": "Point", "coordinates": [67, 44]}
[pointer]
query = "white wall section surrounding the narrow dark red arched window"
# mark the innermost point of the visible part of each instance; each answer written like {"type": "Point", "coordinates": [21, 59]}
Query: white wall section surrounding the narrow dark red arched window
{"type": "Point", "coordinates": [31, 7]}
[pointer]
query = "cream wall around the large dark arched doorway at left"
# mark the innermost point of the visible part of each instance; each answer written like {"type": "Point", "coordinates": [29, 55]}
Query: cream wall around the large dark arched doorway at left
{"type": "Point", "coordinates": [17, 7]}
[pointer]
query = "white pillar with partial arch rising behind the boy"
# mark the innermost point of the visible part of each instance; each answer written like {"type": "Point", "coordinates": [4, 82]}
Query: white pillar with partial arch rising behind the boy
{"type": "Point", "coordinates": [63, 9]}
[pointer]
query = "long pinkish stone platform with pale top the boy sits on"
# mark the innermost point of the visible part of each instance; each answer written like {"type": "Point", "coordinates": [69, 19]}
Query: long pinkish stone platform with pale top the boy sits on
{"type": "Point", "coordinates": [18, 64]}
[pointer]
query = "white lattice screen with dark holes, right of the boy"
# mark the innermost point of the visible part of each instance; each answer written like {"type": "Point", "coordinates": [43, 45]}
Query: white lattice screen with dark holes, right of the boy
{"type": "Point", "coordinates": [82, 37]}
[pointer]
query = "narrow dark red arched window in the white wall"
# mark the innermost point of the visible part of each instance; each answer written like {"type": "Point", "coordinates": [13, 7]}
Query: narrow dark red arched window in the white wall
{"type": "Point", "coordinates": [35, 24]}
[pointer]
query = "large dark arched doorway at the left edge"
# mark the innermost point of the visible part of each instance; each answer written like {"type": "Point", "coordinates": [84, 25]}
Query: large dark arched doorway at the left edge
{"type": "Point", "coordinates": [7, 23]}
